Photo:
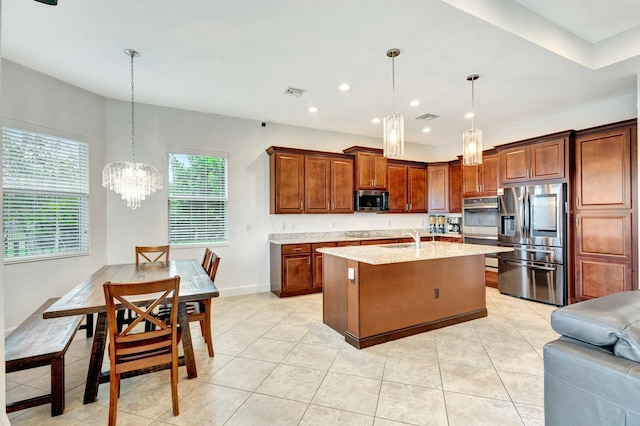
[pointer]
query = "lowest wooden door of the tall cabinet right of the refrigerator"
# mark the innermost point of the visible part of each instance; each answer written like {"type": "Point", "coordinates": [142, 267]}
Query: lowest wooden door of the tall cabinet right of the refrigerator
{"type": "Point", "coordinates": [597, 277]}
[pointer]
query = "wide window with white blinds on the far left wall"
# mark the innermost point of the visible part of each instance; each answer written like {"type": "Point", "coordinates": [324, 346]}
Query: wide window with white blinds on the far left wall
{"type": "Point", "coordinates": [45, 180]}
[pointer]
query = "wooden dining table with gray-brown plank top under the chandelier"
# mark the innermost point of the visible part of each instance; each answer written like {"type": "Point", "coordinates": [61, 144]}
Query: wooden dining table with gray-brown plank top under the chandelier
{"type": "Point", "coordinates": [88, 298]}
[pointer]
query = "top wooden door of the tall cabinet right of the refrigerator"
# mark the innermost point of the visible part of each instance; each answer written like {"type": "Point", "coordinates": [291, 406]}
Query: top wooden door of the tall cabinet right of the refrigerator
{"type": "Point", "coordinates": [603, 170]}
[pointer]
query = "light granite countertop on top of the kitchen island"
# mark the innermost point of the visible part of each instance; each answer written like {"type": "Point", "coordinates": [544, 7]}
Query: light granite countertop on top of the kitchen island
{"type": "Point", "coordinates": [406, 252]}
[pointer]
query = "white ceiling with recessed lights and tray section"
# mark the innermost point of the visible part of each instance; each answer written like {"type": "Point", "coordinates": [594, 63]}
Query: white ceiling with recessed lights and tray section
{"type": "Point", "coordinates": [534, 57]}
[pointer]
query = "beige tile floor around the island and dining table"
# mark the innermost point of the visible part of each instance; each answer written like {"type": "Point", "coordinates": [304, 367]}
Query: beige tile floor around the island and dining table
{"type": "Point", "coordinates": [276, 363]}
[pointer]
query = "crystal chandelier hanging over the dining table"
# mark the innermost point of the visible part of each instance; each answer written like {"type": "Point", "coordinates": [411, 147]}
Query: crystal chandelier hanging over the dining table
{"type": "Point", "coordinates": [133, 181]}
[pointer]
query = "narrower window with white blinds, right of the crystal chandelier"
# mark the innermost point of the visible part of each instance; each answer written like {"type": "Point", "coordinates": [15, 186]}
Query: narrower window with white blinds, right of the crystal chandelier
{"type": "Point", "coordinates": [197, 199]}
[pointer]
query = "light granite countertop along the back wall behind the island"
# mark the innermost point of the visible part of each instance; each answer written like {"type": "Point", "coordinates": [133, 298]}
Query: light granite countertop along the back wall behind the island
{"type": "Point", "coordinates": [324, 237]}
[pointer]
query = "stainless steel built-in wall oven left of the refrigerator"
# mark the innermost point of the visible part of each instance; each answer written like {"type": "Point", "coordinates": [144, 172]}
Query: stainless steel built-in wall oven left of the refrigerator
{"type": "Point", "coordinates": [480, 218]}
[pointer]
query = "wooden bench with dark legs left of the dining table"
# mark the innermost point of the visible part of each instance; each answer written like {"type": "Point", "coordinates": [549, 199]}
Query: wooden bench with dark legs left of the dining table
{"type": "Point", "coordinates": [37, 342]}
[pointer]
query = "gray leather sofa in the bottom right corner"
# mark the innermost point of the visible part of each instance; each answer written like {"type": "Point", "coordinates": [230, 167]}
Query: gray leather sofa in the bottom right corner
{"type": "Point", "coordinates": [592, 372]}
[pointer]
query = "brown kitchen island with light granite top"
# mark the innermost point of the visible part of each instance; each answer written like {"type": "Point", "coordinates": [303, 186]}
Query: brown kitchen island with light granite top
{"type": "Point", "coordinates": [374, 294]}
